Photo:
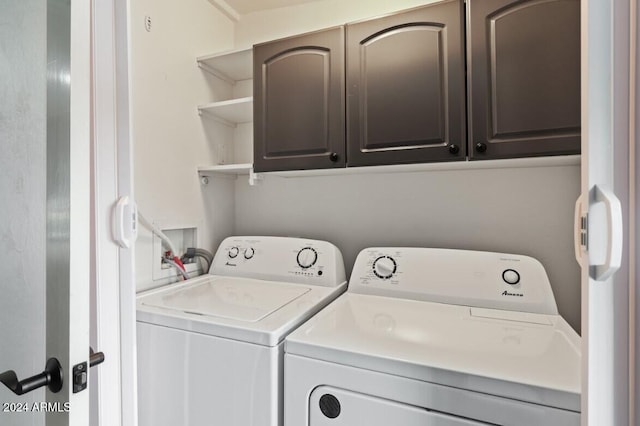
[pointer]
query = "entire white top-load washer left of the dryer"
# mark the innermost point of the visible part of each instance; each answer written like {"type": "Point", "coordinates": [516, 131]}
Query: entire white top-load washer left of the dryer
{"type": "Point", "coordinates": [210, 349]}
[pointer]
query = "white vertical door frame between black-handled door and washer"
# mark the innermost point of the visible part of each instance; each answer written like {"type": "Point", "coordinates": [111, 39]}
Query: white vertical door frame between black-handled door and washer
{"type": "Point", "coordinates": [114, 392]}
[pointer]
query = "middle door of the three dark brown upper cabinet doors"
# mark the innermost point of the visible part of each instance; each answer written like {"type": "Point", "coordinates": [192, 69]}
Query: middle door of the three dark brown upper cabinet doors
{"type": "Point", "coordinates": [406, 87]}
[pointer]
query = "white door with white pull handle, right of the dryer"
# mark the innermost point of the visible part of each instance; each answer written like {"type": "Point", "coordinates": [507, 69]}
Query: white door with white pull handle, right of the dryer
{"type": "Point", "coordinates": [603, 213]}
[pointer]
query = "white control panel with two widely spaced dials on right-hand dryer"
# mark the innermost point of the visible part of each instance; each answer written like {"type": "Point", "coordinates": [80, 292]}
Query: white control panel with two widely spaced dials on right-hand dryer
{"type": "Point", "coordinates": [458, 277]}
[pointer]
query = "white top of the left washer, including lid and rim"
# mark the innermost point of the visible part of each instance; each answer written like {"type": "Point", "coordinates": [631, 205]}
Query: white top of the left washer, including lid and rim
{"type": "Point", "coordinates": [243, 309]}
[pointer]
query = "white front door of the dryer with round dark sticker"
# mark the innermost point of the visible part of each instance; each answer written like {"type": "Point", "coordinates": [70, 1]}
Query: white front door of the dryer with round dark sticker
{"type": "Point", "coordinates": [329, 406]}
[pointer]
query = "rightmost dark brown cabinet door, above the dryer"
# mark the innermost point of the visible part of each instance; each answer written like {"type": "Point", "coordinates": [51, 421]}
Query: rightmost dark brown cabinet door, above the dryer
{"type": "Point", "coordinates": [524, 81]}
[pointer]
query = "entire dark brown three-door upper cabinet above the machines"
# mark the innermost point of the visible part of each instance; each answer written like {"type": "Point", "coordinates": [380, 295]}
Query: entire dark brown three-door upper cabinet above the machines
{"type": "Point", "coordinates": [411, 96]}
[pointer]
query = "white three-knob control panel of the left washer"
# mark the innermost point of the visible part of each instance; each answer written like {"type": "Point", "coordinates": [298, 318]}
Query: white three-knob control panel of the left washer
{"type": "Point", "coordinates": [296, 260]}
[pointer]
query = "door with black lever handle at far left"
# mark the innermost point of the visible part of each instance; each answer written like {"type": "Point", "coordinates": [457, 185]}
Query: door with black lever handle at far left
{"type": "Point", "coordinates": [44, 212]}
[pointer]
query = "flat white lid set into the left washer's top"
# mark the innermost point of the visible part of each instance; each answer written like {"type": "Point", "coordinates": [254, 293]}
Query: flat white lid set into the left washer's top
{"type": "Point", "coordinates": [226, 297]}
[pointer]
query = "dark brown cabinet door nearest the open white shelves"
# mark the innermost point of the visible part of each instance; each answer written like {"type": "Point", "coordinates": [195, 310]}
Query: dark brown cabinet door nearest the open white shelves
{"type": "Point", "coordinates": [299, 102]}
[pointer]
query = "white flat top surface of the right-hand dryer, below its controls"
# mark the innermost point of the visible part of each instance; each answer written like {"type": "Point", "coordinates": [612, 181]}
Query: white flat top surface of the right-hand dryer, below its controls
{"type": "Point", "coordinates": [517, 355]}
